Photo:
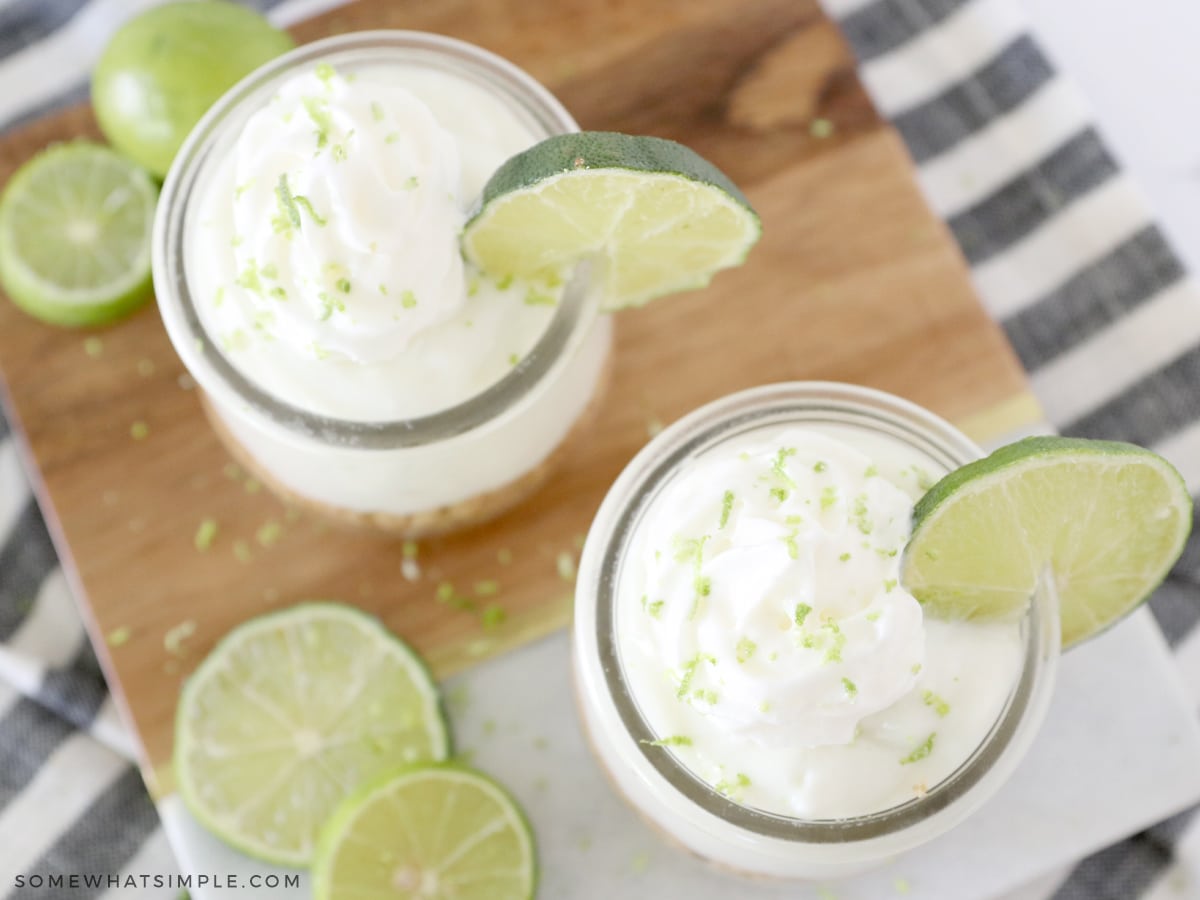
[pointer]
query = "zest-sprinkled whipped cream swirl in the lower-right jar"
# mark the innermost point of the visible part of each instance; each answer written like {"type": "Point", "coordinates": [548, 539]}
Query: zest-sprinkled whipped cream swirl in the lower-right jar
{"type": "Point", "coordinates": [772, 596]}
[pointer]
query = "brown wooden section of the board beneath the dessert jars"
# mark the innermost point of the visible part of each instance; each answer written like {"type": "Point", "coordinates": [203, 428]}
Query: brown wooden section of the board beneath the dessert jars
{"type": "Point", "coordinates": [855, 280]}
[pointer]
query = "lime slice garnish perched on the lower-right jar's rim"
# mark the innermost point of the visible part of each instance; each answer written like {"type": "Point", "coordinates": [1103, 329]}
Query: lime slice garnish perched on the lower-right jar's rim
{"type": "Point", "coordinates": [1107, 519]}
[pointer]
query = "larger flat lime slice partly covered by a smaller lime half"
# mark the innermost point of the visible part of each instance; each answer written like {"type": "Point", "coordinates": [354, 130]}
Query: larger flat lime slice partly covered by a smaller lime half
{"type": "Point", "coordinates": [292, 712]}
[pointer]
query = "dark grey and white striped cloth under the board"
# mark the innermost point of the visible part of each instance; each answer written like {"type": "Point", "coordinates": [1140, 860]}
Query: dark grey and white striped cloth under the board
{"type": "Point", "coordinates": [1065, 255]}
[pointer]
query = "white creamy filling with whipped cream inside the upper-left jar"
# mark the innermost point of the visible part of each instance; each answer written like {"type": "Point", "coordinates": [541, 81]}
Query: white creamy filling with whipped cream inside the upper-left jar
{"type": "Point", "coordinates": [325, 260]}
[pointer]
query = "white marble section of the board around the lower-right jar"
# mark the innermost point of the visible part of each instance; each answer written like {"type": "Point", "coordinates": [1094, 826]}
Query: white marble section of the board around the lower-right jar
{"type": "Point", "coordinates": [1088, 782]}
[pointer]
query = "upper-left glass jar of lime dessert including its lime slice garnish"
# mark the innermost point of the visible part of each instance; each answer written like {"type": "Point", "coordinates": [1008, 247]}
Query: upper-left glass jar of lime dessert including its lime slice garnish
{"type": "Point", "coordinates": [388, 261]}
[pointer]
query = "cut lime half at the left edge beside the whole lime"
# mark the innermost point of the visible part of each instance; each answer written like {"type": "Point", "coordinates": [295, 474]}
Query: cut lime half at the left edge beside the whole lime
{"type": "Point", "coordinates": [75, 236]}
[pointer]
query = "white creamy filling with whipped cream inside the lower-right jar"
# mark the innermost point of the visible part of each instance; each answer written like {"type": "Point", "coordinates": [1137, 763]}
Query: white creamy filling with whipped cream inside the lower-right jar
{"type": "Point", "coordinates": [769, 640]}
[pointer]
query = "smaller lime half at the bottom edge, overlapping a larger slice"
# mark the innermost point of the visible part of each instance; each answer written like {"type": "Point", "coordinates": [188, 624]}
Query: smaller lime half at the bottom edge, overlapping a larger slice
{"type": "Point", "coordinates": [428, 833]}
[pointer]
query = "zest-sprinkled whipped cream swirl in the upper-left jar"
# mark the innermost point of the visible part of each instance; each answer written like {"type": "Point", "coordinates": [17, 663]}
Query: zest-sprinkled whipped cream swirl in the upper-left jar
{"type": "Point", "coordinates": [346, 218]}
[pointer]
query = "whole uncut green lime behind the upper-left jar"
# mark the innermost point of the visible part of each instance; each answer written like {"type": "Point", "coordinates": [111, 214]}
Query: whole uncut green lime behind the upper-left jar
{"type": "Point", "coordinates": [165, 69]}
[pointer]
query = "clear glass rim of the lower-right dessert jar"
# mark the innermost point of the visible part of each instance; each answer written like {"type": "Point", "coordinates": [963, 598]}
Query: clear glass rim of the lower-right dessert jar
{"type": "Point", "coordinates": [753, 410]}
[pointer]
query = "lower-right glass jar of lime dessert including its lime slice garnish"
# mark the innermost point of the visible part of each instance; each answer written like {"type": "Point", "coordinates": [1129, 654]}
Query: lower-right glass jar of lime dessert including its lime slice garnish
{"type": "Point", "coordinates": [814, 629]}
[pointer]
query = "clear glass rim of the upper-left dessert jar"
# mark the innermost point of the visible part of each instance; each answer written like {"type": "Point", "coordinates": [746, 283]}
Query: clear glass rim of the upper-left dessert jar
{"type": "Point", "coordinates": [213, 370]}
